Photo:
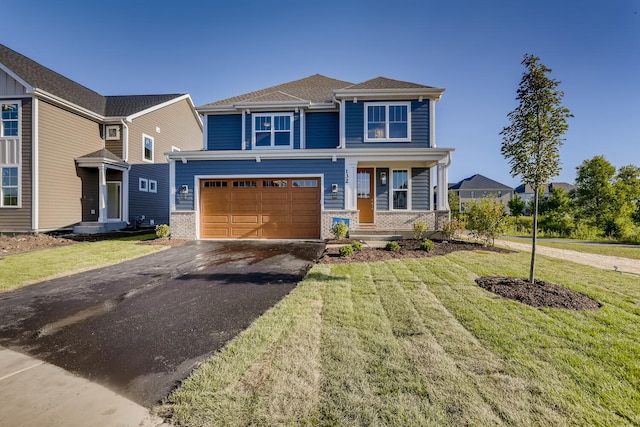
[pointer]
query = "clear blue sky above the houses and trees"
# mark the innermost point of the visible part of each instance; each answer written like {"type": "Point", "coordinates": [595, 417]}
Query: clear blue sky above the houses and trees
{"type": "Point", "coordinates": [474, 49]}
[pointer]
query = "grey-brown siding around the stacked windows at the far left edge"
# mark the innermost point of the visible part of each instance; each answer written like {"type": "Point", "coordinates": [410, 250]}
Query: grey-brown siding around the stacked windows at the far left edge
{"type": "Point", "coordinates": [19, 219]}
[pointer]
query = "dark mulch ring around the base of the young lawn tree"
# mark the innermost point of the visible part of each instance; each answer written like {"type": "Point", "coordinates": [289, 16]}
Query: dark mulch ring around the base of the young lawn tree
{"type": "Point", "coordinates": [538, 294]}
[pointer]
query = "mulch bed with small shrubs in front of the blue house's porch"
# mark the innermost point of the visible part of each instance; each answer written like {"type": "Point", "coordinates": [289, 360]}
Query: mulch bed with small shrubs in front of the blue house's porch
{"type": "Point", "coordinates": [409, 248]}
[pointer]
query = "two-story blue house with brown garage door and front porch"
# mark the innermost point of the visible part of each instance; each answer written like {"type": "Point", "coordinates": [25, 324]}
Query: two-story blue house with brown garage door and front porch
{"type": "Point", "coordinates": [287, 161]}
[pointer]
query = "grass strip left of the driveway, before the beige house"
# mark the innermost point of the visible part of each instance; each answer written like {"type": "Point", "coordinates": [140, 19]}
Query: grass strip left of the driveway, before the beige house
{"type": "Point", "coordinates": [28, 268]}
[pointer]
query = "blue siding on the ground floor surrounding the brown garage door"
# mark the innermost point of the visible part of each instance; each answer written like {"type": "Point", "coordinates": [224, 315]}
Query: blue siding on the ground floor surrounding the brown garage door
{"type": "Point", "coordinates": [333, 174]}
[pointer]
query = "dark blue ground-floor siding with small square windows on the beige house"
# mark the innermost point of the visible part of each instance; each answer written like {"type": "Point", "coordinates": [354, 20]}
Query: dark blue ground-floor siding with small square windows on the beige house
{"type": "Point", "coordinates": [152, 205]}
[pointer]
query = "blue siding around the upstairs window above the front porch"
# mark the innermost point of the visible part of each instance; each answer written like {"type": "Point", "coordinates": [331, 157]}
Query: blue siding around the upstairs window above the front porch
{"type": "Point", "coordinates": [354, 126]}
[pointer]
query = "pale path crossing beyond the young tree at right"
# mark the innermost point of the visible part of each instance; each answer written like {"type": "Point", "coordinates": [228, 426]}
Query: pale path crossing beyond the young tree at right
{"type": "Point", "coordinates": [623, 265]}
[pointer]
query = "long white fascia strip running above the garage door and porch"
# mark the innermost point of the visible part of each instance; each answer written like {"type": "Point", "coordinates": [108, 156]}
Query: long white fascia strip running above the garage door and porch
{"type": "Point", "coordinates": [380, 154]}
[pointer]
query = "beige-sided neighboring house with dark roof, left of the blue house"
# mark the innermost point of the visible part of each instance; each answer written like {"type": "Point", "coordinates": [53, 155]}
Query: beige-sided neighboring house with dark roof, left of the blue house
{"type": "Point", "coordinates": [69, 155]}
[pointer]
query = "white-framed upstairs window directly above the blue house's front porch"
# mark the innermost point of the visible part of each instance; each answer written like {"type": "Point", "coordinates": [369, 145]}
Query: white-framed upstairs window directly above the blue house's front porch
{"type": "Point", "coordinates": [387, 122]}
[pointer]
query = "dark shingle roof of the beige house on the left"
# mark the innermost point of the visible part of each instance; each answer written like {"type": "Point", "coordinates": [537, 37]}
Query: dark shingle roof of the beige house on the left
{"type": "Point", "coordinates": [43, 78]}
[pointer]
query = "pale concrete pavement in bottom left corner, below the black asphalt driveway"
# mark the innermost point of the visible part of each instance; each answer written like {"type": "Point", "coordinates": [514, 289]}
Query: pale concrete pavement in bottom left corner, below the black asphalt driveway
{"type": "Point", "coordinates": [35, 393]}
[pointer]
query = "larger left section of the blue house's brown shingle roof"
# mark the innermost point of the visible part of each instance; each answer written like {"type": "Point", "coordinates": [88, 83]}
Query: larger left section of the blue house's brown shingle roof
{"type": "Point", "coordinates": [316, 89]}
